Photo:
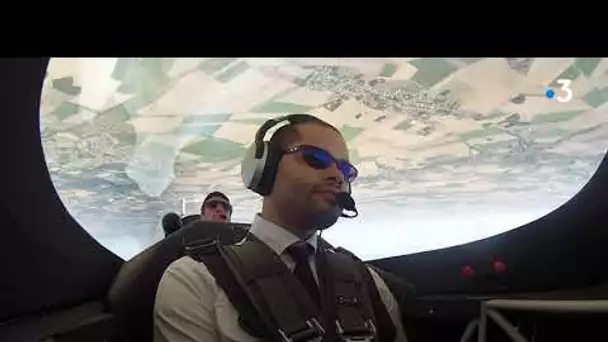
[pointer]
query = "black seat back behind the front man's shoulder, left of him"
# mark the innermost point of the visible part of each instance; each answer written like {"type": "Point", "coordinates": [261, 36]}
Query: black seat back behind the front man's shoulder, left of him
{"type": "Point", "coordinates": [131, 297]}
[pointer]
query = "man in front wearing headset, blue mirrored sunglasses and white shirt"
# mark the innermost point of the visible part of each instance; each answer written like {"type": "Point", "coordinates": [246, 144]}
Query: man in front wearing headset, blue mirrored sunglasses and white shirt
{"type": "Point", "coordinates": [300, 173]}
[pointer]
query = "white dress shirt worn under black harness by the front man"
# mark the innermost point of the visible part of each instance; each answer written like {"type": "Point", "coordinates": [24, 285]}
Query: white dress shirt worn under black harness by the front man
{"type": "Point", "coordinates": [191, 307]}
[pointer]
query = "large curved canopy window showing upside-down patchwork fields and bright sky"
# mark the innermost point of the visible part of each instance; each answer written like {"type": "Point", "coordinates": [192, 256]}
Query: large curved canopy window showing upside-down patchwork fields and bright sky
{"type": "Point", "coordinates": [449, 150]}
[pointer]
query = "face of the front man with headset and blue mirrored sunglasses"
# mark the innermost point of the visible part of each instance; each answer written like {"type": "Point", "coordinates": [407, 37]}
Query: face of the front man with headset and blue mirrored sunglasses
{"type": "Point", "coordinates": [303, 187]}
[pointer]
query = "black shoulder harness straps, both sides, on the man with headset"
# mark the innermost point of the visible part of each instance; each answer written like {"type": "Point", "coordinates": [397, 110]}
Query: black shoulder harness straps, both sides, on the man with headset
{"type": "Point", "coordinates": [273, 304]}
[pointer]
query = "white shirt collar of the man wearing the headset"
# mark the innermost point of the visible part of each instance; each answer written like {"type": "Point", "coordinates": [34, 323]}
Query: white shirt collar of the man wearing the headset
{"type": "Point", "coordinates": [275, 237]}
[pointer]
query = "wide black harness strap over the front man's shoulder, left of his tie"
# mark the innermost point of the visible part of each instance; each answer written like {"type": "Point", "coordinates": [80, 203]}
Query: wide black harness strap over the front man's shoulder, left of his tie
{"type": "Point", "coordinates": [271, 302]}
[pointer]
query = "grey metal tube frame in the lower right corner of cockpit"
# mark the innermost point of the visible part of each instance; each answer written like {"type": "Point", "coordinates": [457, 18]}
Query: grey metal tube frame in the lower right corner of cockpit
{"type": "Point", "coordinates": [490, 309]}
